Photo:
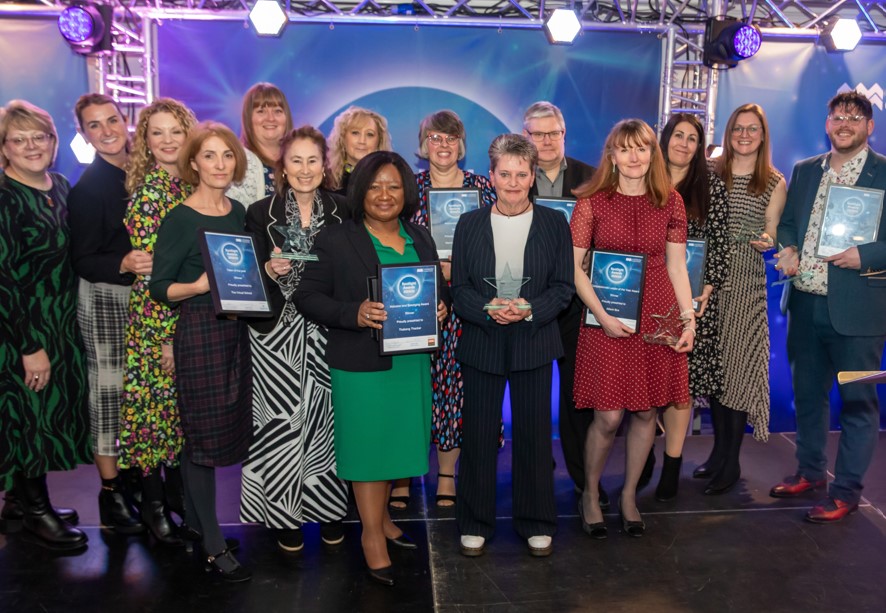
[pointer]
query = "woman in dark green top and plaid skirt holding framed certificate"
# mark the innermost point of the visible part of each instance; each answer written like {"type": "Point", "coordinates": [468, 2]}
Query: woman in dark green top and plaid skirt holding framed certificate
{"type": "Point", "coordinates": [212, 360]}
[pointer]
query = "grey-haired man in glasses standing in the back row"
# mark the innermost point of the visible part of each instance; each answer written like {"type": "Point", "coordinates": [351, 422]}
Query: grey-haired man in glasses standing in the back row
{"type": "Point", "coordinates": [556, 176]}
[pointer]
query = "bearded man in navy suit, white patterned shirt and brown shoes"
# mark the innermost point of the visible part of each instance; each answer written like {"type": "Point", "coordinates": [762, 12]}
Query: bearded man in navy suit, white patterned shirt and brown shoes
{"type": "Point", "coordinates": [836, 313]}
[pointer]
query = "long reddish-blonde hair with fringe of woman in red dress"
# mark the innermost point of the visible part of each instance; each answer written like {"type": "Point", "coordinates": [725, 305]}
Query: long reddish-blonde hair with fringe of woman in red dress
{"type": "Point", "coordinates": [627, 132]}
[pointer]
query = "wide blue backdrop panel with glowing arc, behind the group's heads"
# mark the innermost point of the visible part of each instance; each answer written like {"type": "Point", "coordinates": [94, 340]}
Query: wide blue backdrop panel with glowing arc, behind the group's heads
{"type": "Point", "coordinates": [488, 77]}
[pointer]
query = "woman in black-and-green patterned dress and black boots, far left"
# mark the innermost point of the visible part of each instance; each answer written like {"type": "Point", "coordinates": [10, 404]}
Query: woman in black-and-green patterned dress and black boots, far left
{"type": "Point", "coordinates": [44, 421]}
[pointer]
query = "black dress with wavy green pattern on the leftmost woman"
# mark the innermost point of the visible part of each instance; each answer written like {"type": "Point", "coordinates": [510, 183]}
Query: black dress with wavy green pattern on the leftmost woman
{"type": "Point", "coordinates": [49, 430]}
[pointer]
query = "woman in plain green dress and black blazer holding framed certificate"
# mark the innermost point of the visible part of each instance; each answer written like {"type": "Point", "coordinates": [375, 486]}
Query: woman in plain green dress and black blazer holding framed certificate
{"type": "Point", "coordinates": [381, 404]}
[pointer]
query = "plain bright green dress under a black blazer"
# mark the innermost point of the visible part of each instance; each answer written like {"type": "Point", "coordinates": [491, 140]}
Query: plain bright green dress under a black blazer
{"type": "Point", "coordinates": [383, 418]}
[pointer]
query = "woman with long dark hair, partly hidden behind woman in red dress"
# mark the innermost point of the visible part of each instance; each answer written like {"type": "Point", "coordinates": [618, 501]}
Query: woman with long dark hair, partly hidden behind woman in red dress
{"type": "Point", "coordinates": [707, 219]}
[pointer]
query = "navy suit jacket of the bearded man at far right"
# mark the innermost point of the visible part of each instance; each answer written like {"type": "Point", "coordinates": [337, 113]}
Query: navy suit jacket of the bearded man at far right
{"type": "Point", "coordinates": [856, 304]}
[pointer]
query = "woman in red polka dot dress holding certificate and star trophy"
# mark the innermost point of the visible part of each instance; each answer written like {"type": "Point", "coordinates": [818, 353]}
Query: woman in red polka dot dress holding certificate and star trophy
{"type": "Point", "coordinates": [630, 206]}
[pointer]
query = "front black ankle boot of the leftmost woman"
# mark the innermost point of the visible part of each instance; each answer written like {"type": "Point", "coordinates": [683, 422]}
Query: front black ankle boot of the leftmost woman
{"type": "Point", "coordinates": [40, 520]}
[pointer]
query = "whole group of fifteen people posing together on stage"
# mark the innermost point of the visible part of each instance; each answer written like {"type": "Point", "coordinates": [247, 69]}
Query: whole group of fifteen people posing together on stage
{"type": "Point", "coordinates": [113, 352]}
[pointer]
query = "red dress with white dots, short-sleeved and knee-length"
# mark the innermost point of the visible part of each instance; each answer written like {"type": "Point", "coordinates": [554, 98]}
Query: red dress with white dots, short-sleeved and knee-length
{"type": "Point", "coordinates": [629, 373]}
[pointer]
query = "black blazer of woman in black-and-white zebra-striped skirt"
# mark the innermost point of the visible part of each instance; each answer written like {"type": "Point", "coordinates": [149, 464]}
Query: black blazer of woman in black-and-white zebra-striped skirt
{"type": "Point", "coordinates": [261, 216]}
